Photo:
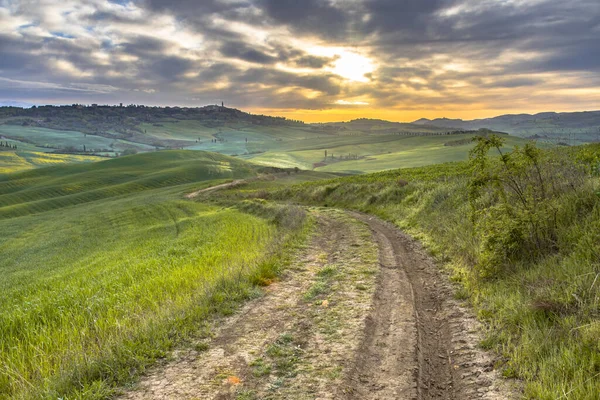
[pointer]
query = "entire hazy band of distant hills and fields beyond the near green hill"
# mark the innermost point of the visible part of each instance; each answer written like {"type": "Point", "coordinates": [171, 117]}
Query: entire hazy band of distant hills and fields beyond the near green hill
{"type": "Point", "coordinates": [358, 146]}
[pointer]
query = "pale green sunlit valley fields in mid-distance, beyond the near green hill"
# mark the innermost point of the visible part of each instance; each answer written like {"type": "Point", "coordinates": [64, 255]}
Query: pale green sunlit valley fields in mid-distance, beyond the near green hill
{"type": "Point", "coordinates": [363, 147]}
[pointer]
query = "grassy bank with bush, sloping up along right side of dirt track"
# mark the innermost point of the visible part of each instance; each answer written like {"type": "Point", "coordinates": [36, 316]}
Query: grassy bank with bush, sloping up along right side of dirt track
{"type": "Point", "coordinates": [521, 239]}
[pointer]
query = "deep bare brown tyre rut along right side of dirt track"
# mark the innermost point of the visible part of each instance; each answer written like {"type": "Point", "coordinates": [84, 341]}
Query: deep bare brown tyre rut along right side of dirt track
{"type": "Point", "coordinates": [442, 346]}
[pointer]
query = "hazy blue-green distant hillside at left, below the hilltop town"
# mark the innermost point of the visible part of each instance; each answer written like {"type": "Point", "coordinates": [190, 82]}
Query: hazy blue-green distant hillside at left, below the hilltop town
{"type": "Point", "coordinates": [111, 130]}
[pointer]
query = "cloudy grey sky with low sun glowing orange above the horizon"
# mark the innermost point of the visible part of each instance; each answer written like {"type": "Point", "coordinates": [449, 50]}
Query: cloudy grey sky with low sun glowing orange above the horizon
{"type": "Point", "coordinates": [315, 60]}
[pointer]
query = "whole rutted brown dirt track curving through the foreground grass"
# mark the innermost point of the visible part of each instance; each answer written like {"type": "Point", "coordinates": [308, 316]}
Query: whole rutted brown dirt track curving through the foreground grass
{"type": "Point", "coordinates": [382, 325]}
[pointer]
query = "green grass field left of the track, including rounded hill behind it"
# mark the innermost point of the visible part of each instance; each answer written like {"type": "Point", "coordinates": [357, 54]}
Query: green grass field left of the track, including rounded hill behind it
{"type": "Point", "coordinates": [106, 267]}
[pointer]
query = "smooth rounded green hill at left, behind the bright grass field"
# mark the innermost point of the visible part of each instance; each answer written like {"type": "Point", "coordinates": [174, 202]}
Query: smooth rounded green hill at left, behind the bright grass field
{"type": "Point", "coordinates": [62, 186]}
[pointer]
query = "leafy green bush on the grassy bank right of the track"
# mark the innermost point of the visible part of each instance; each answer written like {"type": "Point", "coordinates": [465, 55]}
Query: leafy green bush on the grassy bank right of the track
{"type": "Point", "coordinates": [516, 201]}
